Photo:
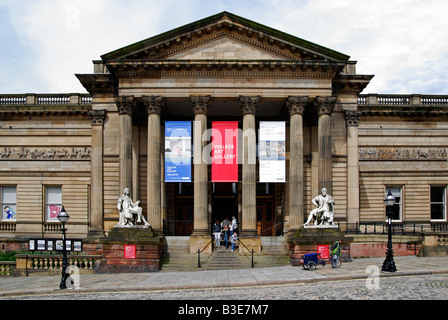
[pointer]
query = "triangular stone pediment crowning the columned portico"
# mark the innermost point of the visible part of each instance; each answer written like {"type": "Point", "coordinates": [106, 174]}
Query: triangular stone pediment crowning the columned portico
{"type": "Point", "coordinates": [224, 37]}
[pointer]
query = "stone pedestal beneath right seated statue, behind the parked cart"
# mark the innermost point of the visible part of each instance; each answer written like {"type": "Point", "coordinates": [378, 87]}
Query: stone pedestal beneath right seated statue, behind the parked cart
{"type": "Point", "coordinates": [306, 239]}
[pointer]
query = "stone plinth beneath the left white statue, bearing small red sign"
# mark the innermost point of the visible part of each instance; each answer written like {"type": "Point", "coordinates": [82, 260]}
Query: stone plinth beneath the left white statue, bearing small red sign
{"type": "Point", "coordinates": [148, 250]}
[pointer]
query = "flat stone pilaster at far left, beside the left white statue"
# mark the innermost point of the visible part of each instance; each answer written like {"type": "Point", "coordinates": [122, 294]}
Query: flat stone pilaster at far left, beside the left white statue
{"type": "Point", "coordinates": [96, 209]}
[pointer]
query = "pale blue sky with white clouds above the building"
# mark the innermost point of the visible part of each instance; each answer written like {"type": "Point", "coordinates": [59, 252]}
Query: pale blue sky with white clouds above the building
{"type": "Point", "coordinates": [44, 43]}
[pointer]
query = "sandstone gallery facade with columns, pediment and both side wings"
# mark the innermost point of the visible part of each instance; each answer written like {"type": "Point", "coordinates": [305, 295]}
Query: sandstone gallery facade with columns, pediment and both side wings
{"type": "Point", "coordinates": [82, 150]}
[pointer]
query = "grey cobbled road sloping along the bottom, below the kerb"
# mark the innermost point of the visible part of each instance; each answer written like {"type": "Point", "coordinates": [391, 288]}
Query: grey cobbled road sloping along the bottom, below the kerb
{"type": "Point", "coordinates": [423, 287]}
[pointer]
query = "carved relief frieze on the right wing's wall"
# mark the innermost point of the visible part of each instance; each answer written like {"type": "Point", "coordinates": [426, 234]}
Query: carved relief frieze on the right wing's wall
{"type": "Point", "coordinates": [393, 153]}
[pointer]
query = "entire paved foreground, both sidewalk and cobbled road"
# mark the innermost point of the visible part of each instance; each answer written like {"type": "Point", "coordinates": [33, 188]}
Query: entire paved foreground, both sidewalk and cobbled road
{"type": "Point", "coordinates": [416, 278]}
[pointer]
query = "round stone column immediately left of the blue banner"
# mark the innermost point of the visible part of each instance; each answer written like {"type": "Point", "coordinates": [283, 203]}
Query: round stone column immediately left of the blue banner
{"type": "Point", "coordinates": [154, 105]}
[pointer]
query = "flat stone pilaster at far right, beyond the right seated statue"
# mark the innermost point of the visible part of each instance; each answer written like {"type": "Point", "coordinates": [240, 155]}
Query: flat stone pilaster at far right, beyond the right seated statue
{"type": "Point", "coordinates": [352, 122]}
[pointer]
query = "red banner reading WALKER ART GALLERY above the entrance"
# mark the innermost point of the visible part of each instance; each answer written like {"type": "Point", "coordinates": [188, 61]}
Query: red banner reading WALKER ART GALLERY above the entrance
{"type": "Point", "coordinates": [224, 151]}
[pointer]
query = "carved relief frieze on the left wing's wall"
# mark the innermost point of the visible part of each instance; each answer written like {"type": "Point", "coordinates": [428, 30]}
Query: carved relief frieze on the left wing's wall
{"type": "Point", "coordinates": [45, 153]}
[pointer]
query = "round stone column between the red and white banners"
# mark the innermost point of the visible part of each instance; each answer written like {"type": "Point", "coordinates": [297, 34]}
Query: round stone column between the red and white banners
{"type": "Point", "coordinates": [248, 106]}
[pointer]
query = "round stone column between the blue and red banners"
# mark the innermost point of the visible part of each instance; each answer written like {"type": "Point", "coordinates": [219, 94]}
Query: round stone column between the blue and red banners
{"type": "Point", "coordinates": [201, 231]}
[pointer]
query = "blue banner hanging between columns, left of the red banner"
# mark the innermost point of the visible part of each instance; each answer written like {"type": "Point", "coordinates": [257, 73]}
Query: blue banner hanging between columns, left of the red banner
{"type": "Point", "coordinates": [177, 151]}
